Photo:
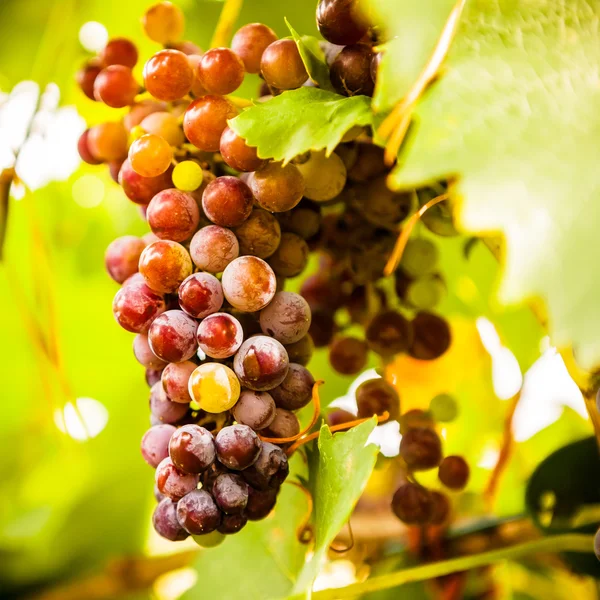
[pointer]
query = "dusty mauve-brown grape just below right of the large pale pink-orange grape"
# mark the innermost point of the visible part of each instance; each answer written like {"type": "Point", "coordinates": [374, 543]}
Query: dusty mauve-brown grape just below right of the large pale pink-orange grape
{"type": "Point", "coordinates": [286, 318]}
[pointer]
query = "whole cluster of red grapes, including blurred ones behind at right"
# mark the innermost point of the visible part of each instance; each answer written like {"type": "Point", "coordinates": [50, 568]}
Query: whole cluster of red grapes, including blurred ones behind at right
{"type": "Point", "coordinates": [224, 346]}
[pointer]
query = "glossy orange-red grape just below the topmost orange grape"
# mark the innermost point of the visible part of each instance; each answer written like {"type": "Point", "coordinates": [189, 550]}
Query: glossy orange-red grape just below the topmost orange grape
{"type": "Point", "coordinates": [168, 75]}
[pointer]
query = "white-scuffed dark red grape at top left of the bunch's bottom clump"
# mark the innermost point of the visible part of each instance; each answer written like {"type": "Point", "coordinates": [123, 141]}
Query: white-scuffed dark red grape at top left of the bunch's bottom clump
{"type": "Point", "coordinates": [192, 449]}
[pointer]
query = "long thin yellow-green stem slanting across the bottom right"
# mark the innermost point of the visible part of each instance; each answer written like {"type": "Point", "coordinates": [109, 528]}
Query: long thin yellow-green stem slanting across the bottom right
{"type": "Point", "coordinates": [559, 543]}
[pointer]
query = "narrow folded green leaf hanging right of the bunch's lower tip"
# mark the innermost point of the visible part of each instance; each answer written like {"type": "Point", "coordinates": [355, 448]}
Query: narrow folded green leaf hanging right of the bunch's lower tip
{"type": "Point", "coordinates": [345, 462]}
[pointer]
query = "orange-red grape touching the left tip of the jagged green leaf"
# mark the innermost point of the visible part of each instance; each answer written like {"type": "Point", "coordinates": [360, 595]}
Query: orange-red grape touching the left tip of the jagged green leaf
{"type": "Point", "coordinates": [205, 120]}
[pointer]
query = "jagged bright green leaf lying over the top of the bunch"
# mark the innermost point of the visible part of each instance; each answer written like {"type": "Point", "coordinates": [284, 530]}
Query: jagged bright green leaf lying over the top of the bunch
{"type": "Point", "coordinates": [301, 120]}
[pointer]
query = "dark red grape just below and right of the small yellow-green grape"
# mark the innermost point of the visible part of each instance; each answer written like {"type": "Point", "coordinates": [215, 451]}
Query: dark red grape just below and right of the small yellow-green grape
{"type": "Point", "coordinates": [227, 201]}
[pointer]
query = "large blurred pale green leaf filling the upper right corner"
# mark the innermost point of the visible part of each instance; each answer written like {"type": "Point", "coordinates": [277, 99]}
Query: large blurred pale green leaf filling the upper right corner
{"type": "Point", "coordinates": [514, 116]}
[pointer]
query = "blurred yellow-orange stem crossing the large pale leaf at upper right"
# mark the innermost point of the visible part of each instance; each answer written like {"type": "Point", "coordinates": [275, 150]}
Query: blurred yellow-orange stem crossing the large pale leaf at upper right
{"type": "Point", "coordinates": [394, 127]}
